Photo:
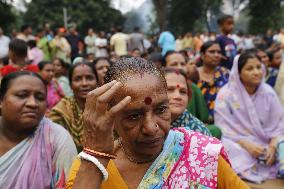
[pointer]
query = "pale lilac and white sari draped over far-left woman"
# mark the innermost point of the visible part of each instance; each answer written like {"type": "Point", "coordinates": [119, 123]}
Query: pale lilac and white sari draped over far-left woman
{"type": "Point", "coordinates": [40, 161]}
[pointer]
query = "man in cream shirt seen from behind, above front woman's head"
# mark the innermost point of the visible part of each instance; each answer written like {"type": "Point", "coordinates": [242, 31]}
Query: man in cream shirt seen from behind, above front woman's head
{"type": "Point", "coordinates": [118, 42]}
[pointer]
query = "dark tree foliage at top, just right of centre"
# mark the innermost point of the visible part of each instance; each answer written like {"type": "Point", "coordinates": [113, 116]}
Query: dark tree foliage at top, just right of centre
{"type": "Point", "coordinates": [180, 16]}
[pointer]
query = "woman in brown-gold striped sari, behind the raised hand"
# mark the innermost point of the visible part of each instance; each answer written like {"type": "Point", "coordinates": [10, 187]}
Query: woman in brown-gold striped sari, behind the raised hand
{"type": "Point", "coordinates": [68, 112]}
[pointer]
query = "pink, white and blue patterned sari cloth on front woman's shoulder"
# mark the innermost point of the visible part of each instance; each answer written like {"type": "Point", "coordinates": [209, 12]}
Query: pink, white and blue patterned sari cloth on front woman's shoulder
{"type": "Point", "coordinates": [188, 160]}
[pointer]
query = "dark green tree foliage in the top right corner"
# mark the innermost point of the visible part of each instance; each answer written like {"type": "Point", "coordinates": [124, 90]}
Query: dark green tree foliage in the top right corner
{"type": "Point", "coordinates": [264, 15]}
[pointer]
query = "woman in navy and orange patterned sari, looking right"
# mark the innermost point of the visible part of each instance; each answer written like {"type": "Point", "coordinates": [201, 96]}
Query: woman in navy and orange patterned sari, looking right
{"type": "Point", "coordinates": [212, 76]}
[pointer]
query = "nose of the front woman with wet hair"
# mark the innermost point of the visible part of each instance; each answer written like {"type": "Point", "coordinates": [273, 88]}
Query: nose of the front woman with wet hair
{"type": "Point", "coordinates": [150, 127]}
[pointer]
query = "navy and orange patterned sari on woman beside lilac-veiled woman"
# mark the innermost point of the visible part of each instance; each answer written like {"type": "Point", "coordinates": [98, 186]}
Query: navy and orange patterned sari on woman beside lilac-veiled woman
{"type": "Point", "coordinates": [211, 89]}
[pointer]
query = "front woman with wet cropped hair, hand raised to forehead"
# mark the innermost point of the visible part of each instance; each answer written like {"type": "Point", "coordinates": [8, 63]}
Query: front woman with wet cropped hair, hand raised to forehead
{"type": "Point", "coordinates": [134, 102]}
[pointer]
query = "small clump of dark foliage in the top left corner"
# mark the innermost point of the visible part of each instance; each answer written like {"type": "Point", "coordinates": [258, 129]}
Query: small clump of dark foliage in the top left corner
{"type": "Point", "coordinates": [7, 16]}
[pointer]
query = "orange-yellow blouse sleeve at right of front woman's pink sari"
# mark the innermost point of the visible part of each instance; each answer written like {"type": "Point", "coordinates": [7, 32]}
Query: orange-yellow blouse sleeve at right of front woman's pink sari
{"type": "Point", "coordinates": [227, 178]}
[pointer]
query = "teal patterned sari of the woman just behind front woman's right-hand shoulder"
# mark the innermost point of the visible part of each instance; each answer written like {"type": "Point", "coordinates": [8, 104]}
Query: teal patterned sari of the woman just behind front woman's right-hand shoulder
{"type": "Point", "coordinates": [192, 123]}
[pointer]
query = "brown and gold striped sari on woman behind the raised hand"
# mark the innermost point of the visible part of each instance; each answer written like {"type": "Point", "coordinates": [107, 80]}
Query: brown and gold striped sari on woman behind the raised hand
{"type": "Point", "coordinates": [68, 114]}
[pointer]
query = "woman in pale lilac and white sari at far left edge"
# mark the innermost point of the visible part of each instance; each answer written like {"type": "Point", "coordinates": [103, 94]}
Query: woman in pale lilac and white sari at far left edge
{"type": "Point", "coordinates": [34, 152]}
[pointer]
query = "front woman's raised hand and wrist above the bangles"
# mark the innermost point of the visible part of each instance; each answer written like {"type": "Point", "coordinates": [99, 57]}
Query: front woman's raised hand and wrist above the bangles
{"type": "Point", "coordinates": [99, 119]}
